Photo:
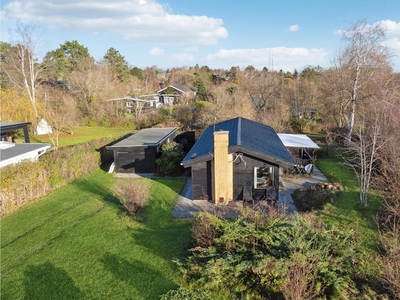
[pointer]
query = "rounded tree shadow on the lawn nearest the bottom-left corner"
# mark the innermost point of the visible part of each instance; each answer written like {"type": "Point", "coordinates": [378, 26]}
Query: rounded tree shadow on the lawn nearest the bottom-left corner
{"type": "Point", "coordinates": [46, 281]}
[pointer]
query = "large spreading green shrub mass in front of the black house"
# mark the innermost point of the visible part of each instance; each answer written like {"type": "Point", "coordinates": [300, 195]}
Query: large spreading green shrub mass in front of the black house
{"type": "Point", "coordinates": [274, 259]}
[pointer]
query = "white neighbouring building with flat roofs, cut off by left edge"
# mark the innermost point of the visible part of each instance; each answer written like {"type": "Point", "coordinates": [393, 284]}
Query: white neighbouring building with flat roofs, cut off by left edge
{"type": "Point", "coordinates": [14, 153]}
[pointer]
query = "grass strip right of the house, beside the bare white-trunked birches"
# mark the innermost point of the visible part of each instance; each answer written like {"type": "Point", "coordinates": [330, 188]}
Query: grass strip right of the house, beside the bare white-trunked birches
{"type": "Point", "coordinates": [347, 214]}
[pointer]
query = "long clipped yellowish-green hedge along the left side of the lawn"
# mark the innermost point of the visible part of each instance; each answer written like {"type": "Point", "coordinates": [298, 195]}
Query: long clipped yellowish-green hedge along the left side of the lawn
{"type": "Point", "coordinates": [29, 180]}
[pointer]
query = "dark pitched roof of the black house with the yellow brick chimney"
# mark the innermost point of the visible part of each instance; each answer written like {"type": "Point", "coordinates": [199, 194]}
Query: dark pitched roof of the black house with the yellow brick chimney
{"type": "Point", "coordinates": [245, 136]}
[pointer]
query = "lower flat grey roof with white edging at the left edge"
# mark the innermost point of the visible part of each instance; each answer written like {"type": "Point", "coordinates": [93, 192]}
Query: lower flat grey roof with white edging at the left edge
{"type": "Point", "coordinates": [19, 151]}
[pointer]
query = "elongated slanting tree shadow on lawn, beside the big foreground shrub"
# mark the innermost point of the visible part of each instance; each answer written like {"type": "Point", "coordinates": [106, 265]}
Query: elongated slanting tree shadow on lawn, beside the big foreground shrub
{"type": "Point", "coordinates": [139, 275]}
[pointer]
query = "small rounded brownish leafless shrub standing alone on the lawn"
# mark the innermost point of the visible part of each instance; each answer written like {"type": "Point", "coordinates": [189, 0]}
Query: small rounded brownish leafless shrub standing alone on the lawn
{"type": "Point", "coordinates": [132, 193]}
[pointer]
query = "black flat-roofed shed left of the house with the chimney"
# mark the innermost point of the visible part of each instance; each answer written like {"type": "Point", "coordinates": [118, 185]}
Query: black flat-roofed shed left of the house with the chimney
{"type": "Point", "coordinates": [138, 152]}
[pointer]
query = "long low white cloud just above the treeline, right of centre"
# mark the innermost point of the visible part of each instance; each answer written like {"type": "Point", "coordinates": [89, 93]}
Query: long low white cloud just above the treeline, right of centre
{"type": "Point", "coordinates": [277, 58]}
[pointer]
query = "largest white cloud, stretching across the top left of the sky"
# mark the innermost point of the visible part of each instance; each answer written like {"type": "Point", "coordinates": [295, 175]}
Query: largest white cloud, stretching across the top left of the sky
{"type": "Point", "coordinates": [134, 20]}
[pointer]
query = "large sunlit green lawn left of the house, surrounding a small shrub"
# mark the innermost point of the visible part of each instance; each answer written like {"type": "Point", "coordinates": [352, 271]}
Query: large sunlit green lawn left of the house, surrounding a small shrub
{"type": "Point", "coordinates": [78, 243]}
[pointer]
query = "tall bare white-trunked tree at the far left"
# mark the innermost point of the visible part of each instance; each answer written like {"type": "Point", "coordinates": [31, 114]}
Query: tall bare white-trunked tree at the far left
{"type": "Point", "coordinates": [21, 61]}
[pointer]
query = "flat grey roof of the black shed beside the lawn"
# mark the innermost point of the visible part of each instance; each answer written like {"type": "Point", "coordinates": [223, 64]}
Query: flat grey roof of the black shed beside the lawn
{"type": "Point", "coordinates": [145, 138]}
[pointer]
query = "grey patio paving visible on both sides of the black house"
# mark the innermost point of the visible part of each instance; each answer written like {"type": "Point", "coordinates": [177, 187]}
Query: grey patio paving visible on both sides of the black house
{"type": "Point", "coordinates": [186, 207]}
